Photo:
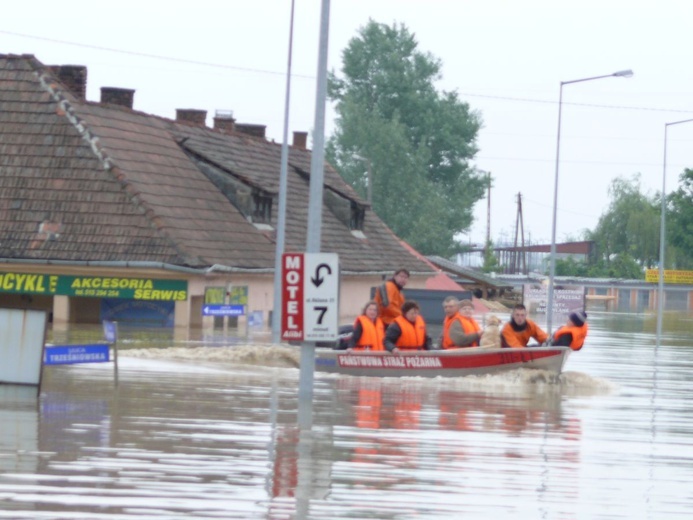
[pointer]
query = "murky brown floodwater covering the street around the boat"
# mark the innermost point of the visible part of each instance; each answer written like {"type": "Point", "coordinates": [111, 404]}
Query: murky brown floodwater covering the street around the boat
{"type": "Point", "coordinates": [196, 431]}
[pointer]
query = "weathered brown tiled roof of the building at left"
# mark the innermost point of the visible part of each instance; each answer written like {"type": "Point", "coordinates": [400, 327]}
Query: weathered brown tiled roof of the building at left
{"type": "Point", "coordinates": [82, 181]}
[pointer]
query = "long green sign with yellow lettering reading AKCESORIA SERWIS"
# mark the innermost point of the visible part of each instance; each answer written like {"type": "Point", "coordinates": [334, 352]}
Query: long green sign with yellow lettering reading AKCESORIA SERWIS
{"type": "Point", "coordinates": [94, 286]}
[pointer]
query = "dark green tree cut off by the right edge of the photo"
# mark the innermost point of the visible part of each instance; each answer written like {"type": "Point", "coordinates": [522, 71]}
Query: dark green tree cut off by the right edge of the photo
{"type": "Point", "coordinates": [680, 224]}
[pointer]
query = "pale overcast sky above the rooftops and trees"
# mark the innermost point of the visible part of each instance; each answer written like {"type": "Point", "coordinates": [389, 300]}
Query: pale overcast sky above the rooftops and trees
{"type": "Point", "coordinates": [505, 58]}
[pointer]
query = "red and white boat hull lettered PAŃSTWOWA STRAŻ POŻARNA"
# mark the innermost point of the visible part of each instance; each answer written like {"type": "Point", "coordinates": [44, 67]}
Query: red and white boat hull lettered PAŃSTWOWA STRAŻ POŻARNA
{"type": "Point", "coordinates": [446, 363]}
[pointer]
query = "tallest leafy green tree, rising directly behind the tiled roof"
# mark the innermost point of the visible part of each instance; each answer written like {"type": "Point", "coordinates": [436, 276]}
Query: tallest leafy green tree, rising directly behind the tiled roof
{"type": "Point", "coordinates": [417, 140]}
